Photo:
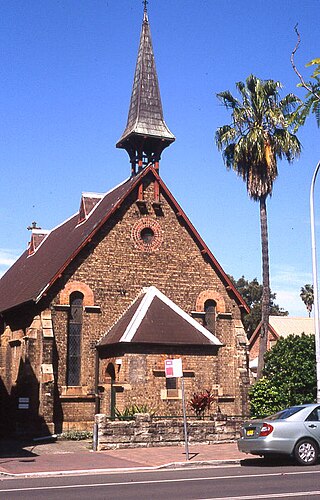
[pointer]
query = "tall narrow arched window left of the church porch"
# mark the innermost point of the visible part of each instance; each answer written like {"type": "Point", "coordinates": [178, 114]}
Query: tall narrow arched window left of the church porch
{"type": "Point", "coordinates": [74, 339]}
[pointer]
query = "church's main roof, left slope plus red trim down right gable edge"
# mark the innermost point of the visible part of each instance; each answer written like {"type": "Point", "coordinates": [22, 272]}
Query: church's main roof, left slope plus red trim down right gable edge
{"type": "Point", "coordinates": [31, 276]}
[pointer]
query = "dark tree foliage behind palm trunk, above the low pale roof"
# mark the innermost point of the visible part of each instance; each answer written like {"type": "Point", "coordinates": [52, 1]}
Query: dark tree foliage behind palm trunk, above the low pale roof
{"type": "Point", "coordinates": [251, 291]}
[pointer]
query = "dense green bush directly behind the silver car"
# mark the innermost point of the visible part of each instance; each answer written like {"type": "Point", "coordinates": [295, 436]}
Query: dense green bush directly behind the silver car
{"type": "Point", "coordinates": [289, 376]}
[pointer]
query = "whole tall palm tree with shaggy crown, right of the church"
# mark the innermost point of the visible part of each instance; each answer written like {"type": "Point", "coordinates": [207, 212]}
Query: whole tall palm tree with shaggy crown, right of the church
{"type": "Point", "coordinates": [259, 135]}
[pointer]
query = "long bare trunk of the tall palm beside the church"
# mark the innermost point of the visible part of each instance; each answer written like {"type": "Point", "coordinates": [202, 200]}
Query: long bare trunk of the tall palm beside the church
{"type": "Point", "coordinates": [265, 285]}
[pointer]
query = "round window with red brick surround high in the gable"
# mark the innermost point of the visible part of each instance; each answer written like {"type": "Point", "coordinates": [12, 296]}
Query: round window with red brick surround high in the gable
{"type": "Point", "coordinates": [147, 235]}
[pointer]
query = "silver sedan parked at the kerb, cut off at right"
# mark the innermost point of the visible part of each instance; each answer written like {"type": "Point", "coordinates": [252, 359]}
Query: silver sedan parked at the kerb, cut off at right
{"type": "Point", "coordinates": [294, 431]}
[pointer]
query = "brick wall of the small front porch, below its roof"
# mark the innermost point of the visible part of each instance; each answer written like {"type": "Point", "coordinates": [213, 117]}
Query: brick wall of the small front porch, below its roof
{"type": "Point", "coordinates": [140, 379]}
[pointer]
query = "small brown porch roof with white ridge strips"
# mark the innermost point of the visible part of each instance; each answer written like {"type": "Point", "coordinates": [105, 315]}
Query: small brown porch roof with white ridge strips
{"type": "Point", "coordinates": [154, 319]}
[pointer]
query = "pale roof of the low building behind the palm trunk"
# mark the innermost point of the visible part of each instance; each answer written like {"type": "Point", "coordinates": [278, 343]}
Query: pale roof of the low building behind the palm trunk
{"type": "Point", "coordinates": [283, 326]}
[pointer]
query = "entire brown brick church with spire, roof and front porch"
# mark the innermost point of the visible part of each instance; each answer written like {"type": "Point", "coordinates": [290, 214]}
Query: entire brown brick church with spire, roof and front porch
{"type": "Point", "coordinates": [91, 310]}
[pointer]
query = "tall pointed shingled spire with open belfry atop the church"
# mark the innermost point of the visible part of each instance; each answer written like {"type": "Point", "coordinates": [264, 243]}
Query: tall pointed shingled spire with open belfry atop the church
{"type": "Point", "coordinates": [146, 134]}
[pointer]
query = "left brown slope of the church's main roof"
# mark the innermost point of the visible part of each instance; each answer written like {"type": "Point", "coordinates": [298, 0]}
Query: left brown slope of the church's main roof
{"type": "Point", "coordinates": [32, 275]}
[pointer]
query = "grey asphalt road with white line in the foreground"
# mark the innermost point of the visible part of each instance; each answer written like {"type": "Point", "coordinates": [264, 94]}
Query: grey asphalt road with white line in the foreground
{"type": "Point", "coordinates": [232, 483]}
